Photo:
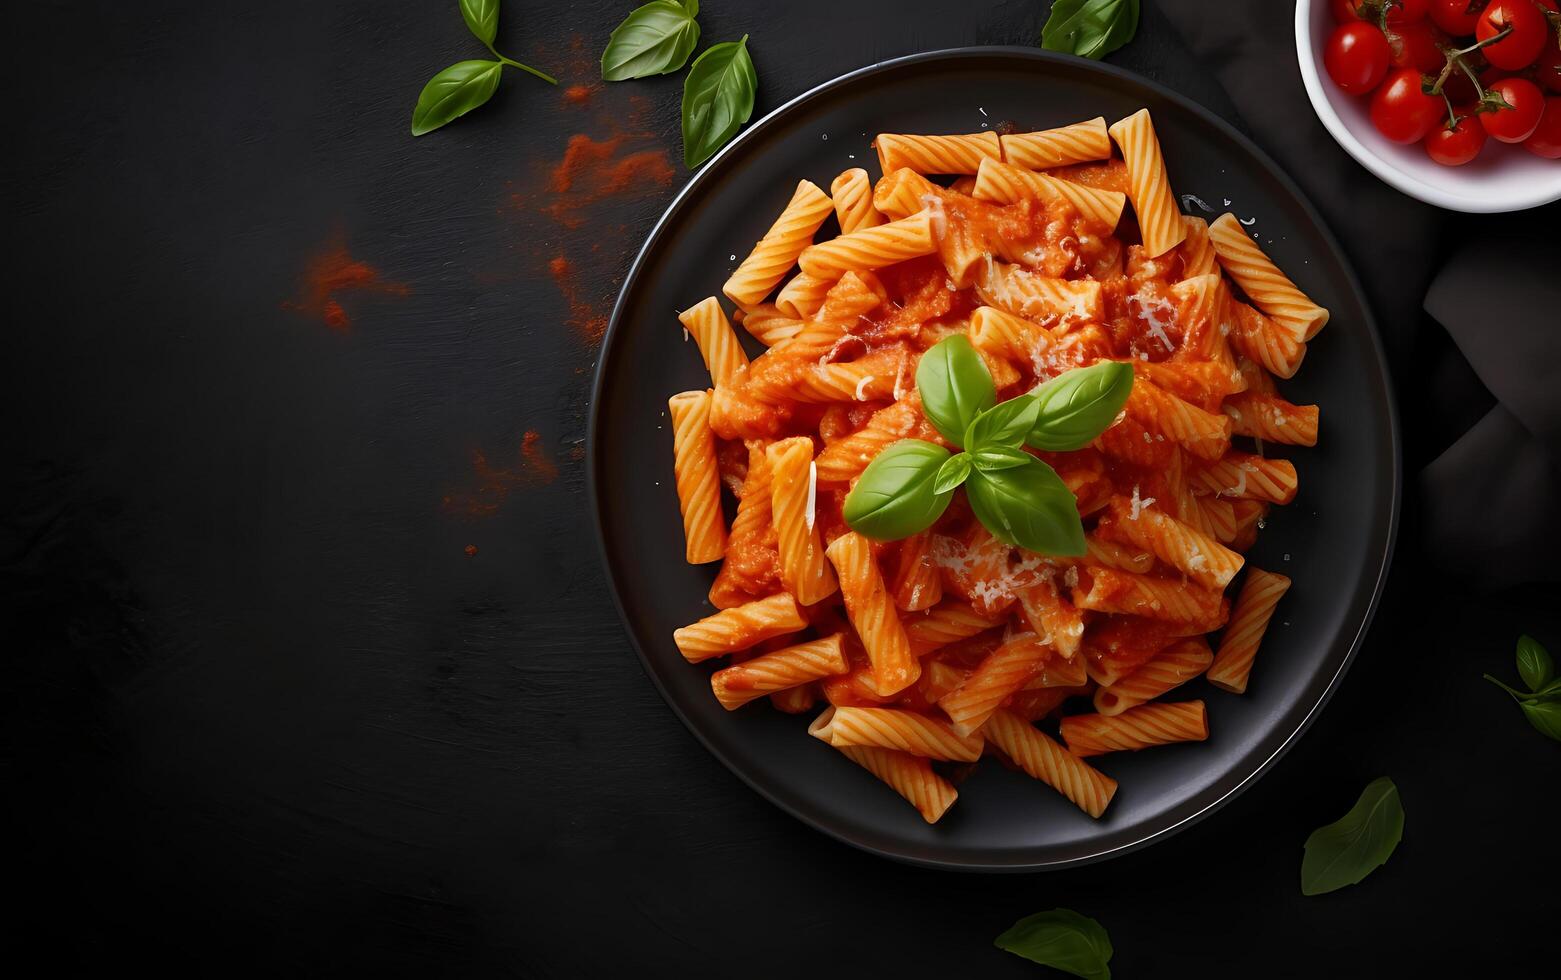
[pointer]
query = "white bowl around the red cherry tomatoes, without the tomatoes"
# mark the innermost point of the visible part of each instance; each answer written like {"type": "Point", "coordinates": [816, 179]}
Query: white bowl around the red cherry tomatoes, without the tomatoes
{"type": "Point", "coordinates": [1501, 179]}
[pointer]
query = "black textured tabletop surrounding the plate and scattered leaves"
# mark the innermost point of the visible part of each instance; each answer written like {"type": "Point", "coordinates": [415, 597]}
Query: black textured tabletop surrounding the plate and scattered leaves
{"type": "Point", "coordinates": [265, 714]}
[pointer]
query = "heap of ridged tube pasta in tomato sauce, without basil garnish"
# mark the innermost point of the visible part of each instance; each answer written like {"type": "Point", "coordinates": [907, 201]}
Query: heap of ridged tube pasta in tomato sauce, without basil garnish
{"type": "Point", "coordinates": [923, 655]}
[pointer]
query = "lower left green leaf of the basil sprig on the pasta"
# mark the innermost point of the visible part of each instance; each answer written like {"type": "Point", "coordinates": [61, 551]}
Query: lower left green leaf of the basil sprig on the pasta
{"type": "Point", "coordinates": [895, 495]}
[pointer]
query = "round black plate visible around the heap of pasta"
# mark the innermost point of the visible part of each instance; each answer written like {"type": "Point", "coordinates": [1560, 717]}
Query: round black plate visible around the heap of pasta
{"type": "Point", "coordinates": [1335, 541]}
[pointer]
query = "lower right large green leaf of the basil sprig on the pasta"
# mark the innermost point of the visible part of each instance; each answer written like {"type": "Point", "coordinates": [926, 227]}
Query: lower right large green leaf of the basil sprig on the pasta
{"type": "Point", "coordinates": [1029, 508]}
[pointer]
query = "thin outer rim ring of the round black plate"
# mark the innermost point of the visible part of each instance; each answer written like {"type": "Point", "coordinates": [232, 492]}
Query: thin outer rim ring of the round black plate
{"type": "Point", "coordinates": [1117, 74]}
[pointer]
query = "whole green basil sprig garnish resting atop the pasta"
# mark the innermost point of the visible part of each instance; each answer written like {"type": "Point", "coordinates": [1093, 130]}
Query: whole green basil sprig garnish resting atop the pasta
{"type": "Point", "coordinates": [1019, 499]}
